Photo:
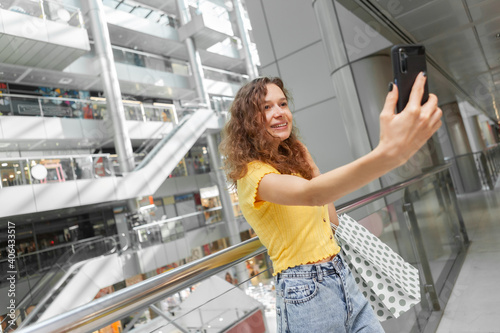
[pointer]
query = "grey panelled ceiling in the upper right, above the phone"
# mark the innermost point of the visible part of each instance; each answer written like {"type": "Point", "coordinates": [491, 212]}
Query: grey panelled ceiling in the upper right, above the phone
{"type": "Point", "coordinates": [460, 37]}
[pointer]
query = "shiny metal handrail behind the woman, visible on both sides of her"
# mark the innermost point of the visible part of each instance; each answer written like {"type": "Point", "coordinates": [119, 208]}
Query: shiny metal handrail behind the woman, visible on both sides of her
{"type": "Point", "coordinates": [110, 308]}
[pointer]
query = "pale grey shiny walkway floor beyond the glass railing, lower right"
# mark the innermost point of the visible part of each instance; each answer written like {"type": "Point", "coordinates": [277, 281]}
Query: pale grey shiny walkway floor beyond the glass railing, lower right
{"type": "Point", "coordinates": [474, 305]}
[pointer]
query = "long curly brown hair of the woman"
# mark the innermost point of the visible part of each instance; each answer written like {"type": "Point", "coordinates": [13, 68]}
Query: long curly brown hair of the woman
{"type": "Point", "coordinates": [245, 138]}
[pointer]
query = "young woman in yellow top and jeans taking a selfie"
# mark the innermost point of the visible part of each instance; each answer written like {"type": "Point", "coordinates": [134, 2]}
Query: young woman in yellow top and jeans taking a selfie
{"type": "Point", "coordinates": [289, 203]}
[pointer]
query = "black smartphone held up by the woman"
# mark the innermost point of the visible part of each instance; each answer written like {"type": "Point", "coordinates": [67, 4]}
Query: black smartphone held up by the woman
{"type": "Point", "coordinates": [407, 62]}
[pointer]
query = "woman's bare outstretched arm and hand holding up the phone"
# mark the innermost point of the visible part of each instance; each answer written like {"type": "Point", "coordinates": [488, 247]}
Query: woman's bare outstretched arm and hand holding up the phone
{"type": "Point", "coordinates": [401, 136]}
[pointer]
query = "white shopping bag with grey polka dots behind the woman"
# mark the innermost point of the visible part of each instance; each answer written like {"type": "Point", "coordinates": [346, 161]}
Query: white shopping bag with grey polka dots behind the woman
{"type": "Point", "coordinates": [390, 284]}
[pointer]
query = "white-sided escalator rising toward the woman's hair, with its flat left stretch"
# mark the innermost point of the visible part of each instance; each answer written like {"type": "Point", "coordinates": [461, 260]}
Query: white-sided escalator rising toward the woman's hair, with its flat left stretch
{"type": "Point", "coordinates": [143, 181]}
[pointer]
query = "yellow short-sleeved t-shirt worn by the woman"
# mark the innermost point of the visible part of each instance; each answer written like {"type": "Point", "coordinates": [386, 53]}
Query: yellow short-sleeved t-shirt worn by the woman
{"type": "Point", "coordinates": [293, 235]}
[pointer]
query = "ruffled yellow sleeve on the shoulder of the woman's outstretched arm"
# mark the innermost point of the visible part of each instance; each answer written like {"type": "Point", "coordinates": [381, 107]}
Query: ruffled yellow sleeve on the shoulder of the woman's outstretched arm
{"type": "Point", "coordinates": [248, 185]}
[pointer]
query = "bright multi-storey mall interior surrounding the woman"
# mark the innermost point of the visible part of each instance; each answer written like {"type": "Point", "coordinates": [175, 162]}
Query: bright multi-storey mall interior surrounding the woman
{"type": "Point", "coordinates": [115, 213]}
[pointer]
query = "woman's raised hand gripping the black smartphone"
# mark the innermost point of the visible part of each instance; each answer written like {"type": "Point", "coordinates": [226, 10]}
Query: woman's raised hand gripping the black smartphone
{"type": "Point", "coordinates": [403, 134]}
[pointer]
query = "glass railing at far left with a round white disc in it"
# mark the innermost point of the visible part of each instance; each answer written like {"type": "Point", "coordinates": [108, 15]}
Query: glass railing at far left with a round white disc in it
{"type": "Point", "coordinates": [54, 169]}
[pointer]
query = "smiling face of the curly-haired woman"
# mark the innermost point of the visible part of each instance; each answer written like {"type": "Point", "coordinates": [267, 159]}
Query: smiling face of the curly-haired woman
{"type": "Point", "coordinates": [278, 117]}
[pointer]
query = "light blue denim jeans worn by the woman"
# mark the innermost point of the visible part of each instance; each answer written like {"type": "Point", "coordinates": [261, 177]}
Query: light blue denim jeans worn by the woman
{"type": "Point", "coordinates": [322, 298]}
